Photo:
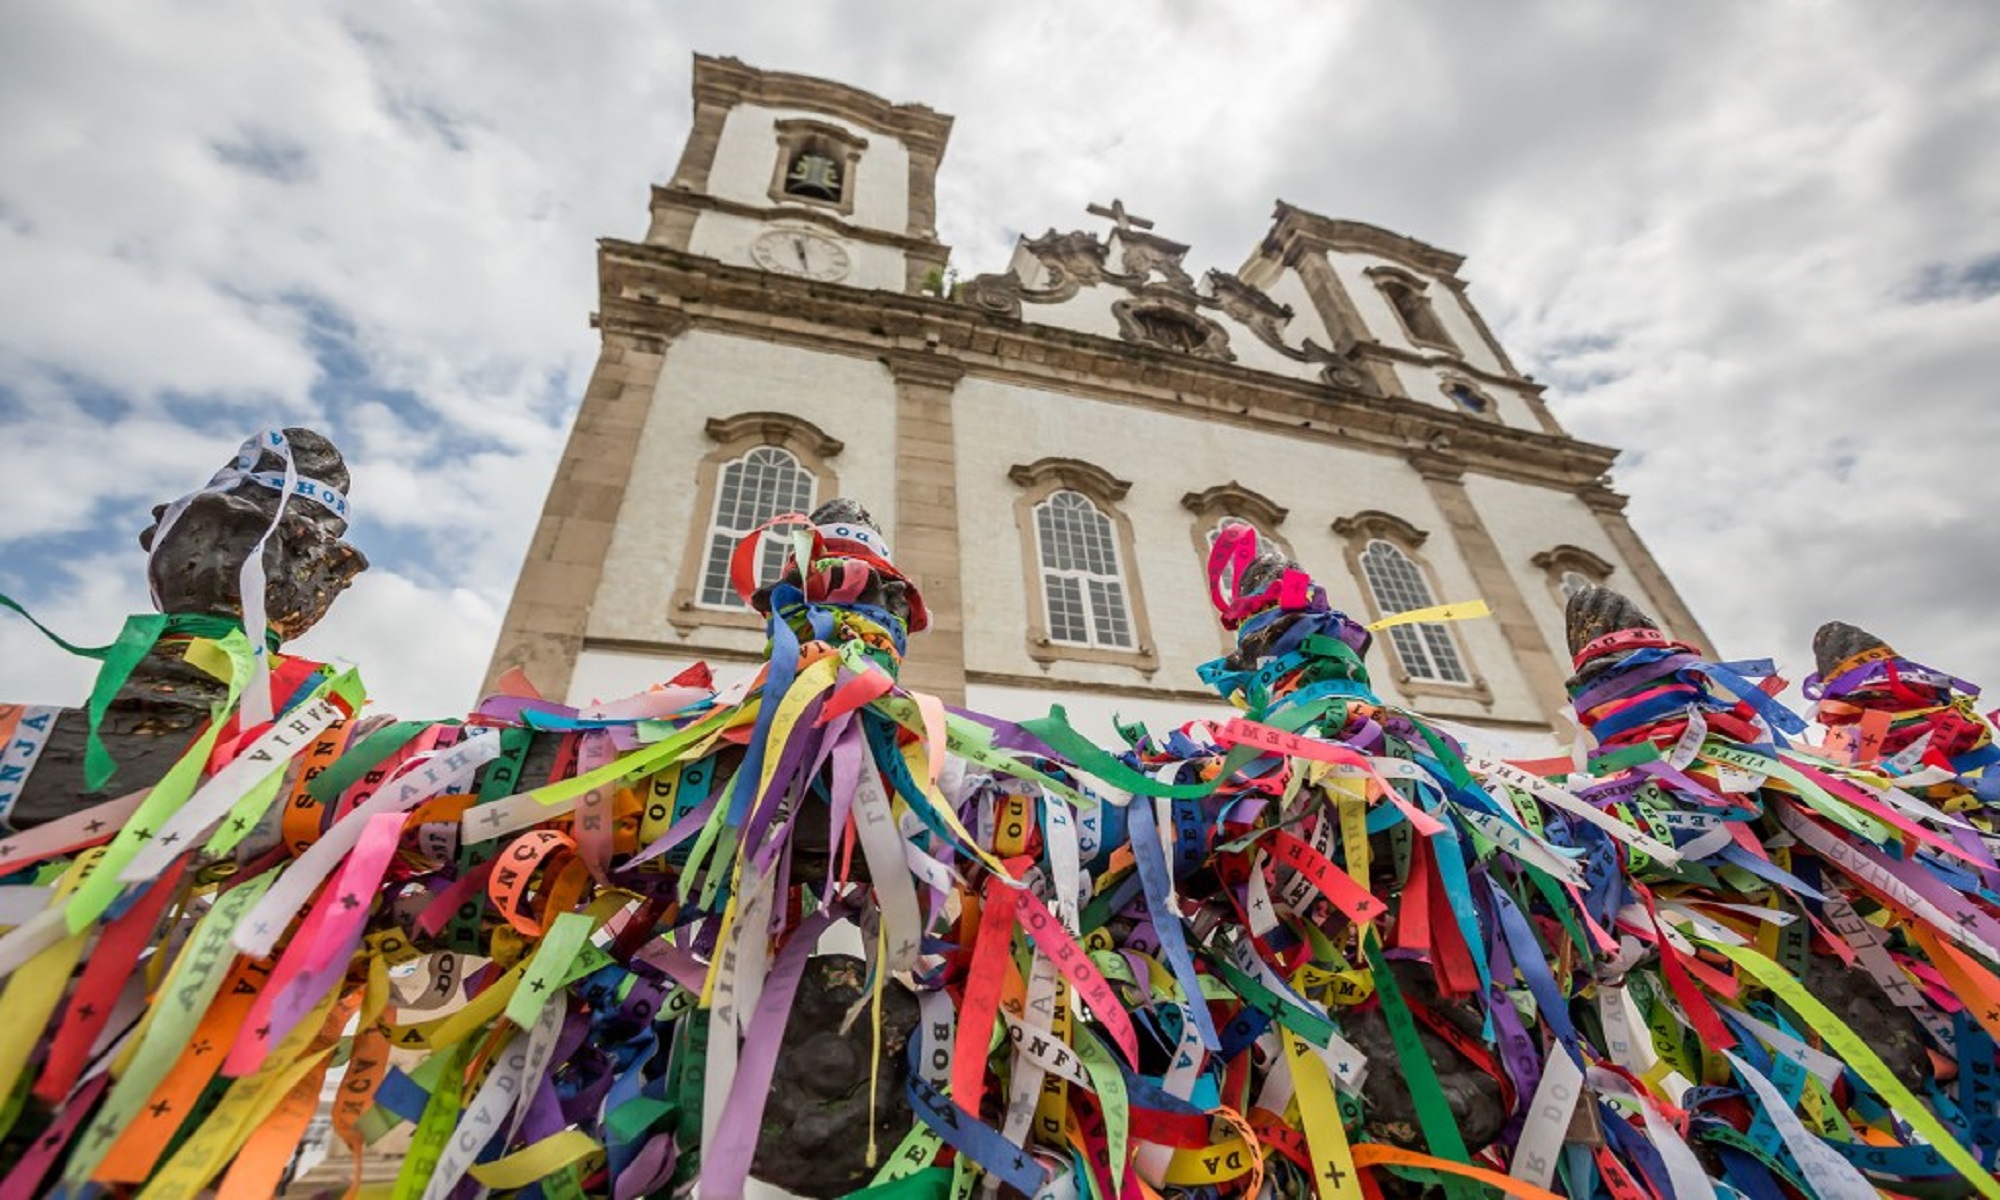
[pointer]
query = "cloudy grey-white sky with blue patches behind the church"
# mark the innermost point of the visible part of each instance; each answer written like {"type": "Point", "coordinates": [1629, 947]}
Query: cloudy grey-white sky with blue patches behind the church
{"type": "Point", "coordinates": [1757, 247]}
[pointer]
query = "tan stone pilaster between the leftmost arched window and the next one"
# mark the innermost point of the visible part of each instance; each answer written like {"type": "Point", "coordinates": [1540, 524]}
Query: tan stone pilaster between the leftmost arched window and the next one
{"type": "Point", "coordinates": [927, 519]}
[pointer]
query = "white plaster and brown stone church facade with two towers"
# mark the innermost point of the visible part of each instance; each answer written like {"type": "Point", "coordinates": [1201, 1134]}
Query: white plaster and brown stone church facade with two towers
{"type": "Point", "coordinates": [1049, 449]}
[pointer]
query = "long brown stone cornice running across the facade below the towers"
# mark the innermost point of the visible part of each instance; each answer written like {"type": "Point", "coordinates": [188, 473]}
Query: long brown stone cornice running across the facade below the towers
{"type": "Point", "coordinates": [649, 287]}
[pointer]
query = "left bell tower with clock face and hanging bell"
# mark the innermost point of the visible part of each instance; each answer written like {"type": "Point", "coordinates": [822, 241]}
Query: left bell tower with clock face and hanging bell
{"type": "Point", "coordinates": [807, 179]}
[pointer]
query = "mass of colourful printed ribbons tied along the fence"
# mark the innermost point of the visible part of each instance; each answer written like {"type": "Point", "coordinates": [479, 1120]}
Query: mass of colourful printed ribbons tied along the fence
{"type": "Point", "coordinates": [1313, 949]}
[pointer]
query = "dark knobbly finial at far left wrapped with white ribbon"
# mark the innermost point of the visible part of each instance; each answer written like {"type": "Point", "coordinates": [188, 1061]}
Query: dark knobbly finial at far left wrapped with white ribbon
{"type": "Point", "coordinates": [195, 565]}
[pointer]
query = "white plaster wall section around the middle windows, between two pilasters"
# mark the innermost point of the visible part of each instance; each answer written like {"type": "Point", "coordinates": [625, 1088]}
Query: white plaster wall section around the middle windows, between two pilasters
{"type": "Point", "coordinates": [1165, 457]}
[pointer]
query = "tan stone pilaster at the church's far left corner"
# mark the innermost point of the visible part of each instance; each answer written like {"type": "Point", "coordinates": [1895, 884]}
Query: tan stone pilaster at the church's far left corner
{"type": "Point", "coordinates": [545, 623]}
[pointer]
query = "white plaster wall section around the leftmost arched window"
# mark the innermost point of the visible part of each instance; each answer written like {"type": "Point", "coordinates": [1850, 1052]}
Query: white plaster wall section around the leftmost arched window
{"type": "Point", "coordinates": [717, 375]}
